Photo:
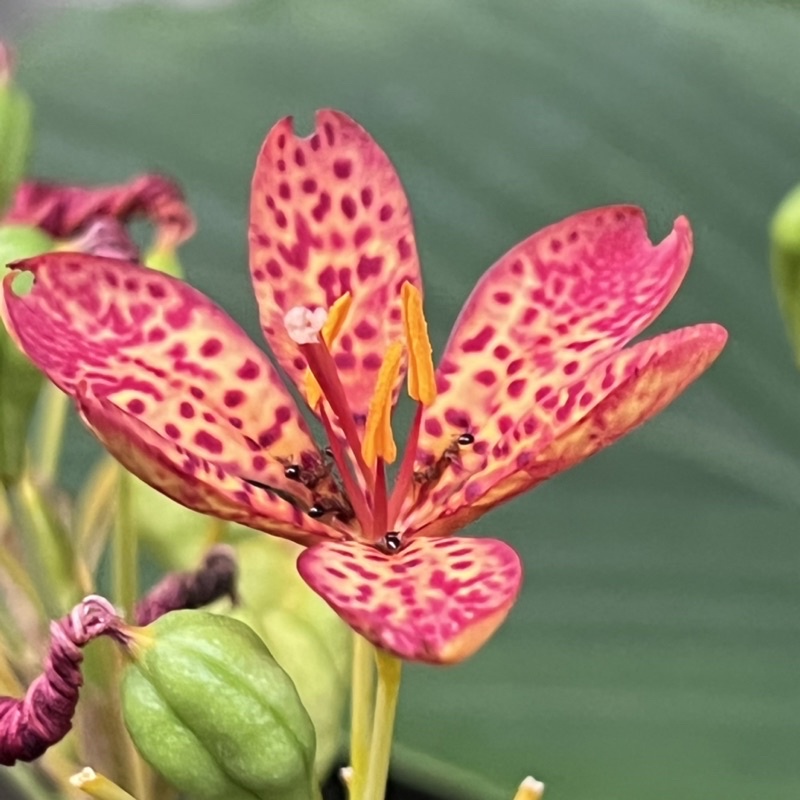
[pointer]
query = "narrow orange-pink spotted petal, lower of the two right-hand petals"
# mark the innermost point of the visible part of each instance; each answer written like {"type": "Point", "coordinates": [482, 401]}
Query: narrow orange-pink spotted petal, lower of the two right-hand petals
{"type": "Point", "coordinates": [615, 397]}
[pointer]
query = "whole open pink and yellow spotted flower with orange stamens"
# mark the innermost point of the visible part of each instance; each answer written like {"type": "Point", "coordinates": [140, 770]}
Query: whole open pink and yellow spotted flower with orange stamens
{"type": "Point", "coordinates": [533, 380]}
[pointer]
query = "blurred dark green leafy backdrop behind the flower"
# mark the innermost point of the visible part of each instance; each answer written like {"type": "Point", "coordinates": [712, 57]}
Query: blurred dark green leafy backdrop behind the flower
{"type": "Point", "coordinates": [654, 652]}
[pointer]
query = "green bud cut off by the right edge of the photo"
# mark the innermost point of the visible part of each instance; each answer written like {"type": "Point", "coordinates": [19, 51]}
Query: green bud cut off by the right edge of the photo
{"type": "Point", "coordinates": [785, 258]}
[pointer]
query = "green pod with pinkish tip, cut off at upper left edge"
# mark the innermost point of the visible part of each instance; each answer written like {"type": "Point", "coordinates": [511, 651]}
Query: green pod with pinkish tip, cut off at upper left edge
{"type": "Point", "coordinates": [15, 130]}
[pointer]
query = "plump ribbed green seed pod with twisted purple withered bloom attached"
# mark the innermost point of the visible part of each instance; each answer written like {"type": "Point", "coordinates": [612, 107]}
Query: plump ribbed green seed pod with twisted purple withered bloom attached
{"type": "Point", "coordinates": [212, 712]}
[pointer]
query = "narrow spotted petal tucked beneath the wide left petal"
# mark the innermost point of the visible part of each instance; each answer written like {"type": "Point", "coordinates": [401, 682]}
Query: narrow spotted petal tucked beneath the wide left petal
{"type": "Point", "coordinates": [191, 478]}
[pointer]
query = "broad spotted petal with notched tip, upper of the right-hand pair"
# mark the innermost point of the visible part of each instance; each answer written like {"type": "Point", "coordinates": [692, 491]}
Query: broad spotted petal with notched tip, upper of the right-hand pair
{"type": "Point", "coordinates": [545, 314]}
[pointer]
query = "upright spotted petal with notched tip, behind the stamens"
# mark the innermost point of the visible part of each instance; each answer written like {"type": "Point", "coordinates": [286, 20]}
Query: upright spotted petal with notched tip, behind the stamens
{"type": "Point", "coordinates": [328, 215]}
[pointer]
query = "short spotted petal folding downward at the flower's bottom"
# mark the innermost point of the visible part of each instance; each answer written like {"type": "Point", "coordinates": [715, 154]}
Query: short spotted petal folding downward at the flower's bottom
{"type": "Point", "coordinates": [435, 601]}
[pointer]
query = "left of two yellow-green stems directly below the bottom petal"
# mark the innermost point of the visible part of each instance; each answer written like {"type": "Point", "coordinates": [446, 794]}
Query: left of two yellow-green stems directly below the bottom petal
{"type": "Point", "coordinates": [361, 713]}
